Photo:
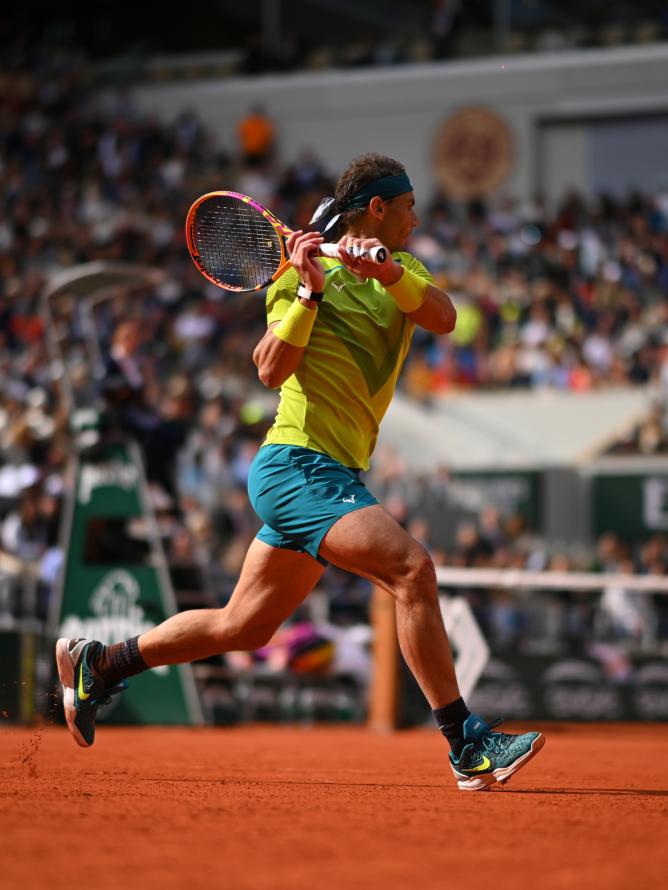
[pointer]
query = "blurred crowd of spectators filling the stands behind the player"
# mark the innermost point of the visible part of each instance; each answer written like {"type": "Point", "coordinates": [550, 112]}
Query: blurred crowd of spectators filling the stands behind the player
{"type": "Point", "coordinates": [572, 297]}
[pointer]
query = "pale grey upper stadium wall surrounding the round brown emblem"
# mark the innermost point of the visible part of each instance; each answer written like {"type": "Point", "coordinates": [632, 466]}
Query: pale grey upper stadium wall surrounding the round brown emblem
{"type": "Point", "coordinates": [555, 106]}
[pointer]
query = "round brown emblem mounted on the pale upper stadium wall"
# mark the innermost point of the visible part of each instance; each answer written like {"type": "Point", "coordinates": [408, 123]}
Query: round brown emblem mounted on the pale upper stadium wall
{"type": "Point", "coordinates": [473, 153]}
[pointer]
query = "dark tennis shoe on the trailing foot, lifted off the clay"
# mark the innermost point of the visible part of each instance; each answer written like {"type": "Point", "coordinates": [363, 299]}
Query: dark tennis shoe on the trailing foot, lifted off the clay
{"type": "Point", "coordinates": [84, 690]}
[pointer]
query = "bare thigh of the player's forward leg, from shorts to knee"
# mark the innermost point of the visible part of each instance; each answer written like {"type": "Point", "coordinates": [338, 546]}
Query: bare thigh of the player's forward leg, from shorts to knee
{"type": "Point", "coordinates": [369, 542]}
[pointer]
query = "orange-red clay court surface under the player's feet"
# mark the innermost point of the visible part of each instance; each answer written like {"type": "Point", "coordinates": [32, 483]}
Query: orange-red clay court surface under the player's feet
{"type": "Point", "coordinates": [248, 809]}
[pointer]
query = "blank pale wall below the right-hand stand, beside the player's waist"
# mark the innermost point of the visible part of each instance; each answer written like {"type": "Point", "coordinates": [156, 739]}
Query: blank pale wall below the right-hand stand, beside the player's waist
{"type": "Point", "coordinates": [528, 429]}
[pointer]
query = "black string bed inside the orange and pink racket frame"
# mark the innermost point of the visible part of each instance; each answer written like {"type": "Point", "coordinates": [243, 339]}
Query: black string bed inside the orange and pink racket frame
{"type": "Point", "coordinates": [238, 247]}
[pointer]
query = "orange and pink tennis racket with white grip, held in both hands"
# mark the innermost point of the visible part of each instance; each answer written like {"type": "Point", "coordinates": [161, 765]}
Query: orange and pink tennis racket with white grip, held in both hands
{"type": "Point", "coordinates": [239, 245]}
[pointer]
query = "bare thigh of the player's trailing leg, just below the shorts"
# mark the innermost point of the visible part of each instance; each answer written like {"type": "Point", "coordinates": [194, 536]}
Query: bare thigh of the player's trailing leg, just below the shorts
{"type": "Point", "coordinates": [272, 583]}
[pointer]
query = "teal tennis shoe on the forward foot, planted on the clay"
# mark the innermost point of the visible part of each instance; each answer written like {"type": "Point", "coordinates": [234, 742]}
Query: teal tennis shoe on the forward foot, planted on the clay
{"type": "Point", "coordinates": [489, 757]}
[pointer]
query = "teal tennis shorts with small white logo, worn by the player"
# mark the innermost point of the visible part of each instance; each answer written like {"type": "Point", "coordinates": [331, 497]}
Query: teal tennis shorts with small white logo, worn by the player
{"type": "Point", "coordinates": [299, 494]}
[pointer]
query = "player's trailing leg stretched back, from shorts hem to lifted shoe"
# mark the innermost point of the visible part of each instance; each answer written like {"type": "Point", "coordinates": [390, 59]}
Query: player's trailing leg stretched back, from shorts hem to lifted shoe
{"type": "Point", "coordinates": [273, 582]}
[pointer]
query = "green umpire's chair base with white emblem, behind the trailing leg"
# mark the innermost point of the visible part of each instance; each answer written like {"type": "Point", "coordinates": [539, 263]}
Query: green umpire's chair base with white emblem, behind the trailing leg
{"type": "Point", "coordinates": [115, 584]}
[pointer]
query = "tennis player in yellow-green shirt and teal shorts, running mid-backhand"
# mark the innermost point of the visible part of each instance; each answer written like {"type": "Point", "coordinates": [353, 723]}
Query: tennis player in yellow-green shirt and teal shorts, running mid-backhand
{"type": "Point", "coordinates": [338, 333]}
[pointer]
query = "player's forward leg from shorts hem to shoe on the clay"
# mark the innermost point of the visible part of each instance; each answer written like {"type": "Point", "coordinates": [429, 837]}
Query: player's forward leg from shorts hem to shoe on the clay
{"type": "Point", "coordinates": [371, 543]}
